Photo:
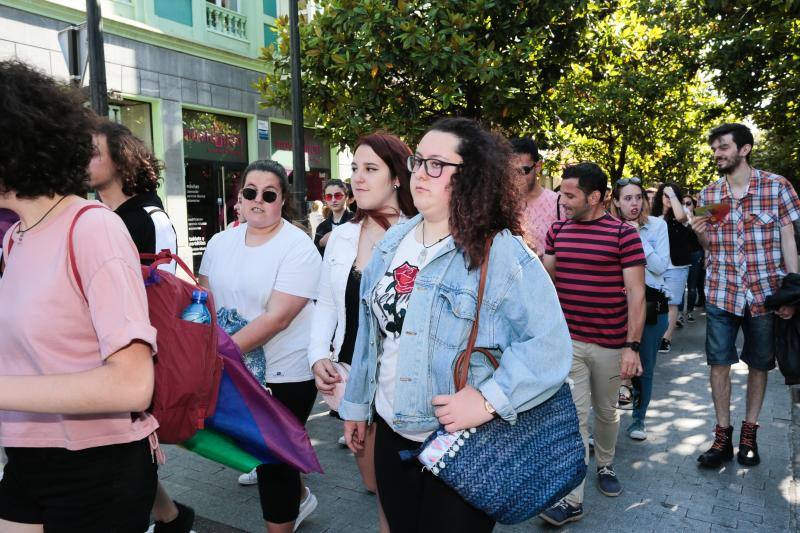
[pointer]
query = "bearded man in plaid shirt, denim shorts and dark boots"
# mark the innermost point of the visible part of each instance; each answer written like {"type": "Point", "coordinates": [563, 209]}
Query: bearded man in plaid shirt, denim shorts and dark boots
{"type": "Point", "coordinates": [748, 251]}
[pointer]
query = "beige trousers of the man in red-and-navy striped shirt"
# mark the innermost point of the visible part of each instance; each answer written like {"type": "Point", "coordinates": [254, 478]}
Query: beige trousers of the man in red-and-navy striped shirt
{"type": "Point", "coordinates": [595, 373]}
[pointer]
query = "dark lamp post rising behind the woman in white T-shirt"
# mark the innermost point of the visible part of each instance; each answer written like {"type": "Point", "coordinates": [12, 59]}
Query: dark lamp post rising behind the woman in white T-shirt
{"type": "Point", "coordinates": [298, 144]}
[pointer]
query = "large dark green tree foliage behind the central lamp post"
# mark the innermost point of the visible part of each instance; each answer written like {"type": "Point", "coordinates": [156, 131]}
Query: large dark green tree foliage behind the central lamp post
{"type": "Point", "coordinates": [373, 64]}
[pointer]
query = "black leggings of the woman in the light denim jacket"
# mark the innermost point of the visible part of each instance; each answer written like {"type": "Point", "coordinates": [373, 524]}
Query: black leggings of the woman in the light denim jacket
{"type": "Point", "coordinates": [414, 500]}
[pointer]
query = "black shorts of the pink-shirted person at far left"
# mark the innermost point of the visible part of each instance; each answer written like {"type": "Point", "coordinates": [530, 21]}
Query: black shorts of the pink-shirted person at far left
{"type": "Point", "coordinates": [104, 489]}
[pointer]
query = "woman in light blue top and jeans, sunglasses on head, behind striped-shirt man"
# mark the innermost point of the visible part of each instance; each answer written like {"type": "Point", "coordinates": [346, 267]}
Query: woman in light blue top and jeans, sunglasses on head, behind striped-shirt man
{"type": "Point", "coordinates": [629, 203]}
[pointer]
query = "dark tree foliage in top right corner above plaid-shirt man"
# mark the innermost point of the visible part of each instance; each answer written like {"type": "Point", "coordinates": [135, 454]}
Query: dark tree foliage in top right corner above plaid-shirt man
{"type": "Point", "coordinates": [754, 52]}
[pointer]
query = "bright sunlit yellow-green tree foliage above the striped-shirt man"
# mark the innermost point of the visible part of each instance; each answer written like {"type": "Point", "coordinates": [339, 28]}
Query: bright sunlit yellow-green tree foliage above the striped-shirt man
{"type": "Point", "coordinates": [635, 100]}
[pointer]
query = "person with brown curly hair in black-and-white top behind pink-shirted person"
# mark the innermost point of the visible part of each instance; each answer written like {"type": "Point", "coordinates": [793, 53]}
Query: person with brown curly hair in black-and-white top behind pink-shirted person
{"type": "Point", "coordinates": [126, 175]}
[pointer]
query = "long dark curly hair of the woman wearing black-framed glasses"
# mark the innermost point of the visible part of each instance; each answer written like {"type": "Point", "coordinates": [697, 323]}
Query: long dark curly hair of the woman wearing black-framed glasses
{"type": "Point", "coordinates": [486, 197]}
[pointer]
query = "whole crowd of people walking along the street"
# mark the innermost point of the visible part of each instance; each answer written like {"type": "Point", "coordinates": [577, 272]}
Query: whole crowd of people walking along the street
{"type": "Point", "coordinates": [381, 295]}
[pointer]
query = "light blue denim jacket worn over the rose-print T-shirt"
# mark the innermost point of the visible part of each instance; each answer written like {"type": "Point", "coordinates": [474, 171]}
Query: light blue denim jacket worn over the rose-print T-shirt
{"type": "Point", "coordinates": [520, 320]}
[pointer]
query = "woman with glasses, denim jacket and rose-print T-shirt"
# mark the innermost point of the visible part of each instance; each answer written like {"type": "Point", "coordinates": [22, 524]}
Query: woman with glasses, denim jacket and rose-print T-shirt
{"type": "Point", "coordinates": [420, 298]}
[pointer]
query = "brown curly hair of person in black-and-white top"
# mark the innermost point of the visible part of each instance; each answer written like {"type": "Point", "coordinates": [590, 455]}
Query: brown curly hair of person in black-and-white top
{"type": "Point", "coordinates": [137, 166]}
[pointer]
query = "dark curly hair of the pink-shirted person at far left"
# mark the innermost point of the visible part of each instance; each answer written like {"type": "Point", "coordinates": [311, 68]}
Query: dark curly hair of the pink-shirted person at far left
{"type": "Point", "coordinates": [46, 130]}
